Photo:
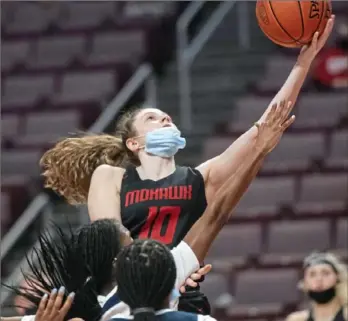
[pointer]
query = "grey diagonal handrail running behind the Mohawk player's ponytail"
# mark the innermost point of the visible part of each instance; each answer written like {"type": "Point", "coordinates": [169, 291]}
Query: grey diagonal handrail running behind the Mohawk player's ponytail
{"type": "Point", "coordinates": [144, 74]}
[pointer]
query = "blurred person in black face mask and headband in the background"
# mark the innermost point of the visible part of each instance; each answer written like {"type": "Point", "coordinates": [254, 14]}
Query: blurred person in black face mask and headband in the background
{"type": "Point", "coordinates": [325, 282]}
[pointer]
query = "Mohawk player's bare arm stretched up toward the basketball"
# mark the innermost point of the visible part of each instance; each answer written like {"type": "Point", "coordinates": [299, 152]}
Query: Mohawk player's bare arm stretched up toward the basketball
{"type": "Point", "coordinates": [215, 171]}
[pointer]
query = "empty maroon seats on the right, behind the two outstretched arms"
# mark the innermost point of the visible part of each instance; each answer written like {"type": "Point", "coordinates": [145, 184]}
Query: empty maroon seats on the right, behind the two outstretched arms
{"type": "Point", "coordinates": [297, 205]}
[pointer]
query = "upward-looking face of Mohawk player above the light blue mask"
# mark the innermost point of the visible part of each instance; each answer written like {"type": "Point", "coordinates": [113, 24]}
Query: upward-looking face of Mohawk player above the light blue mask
{"type": "Point", "coordinates": [149, 119]}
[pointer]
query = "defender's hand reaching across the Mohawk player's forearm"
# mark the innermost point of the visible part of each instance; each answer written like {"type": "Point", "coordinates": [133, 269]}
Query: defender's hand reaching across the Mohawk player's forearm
{"type": "Point", "coordinates": [272, 128]}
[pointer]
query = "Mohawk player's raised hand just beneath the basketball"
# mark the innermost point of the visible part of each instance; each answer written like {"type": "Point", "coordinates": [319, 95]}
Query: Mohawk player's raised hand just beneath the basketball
{"type": "Point", "coordinates": [309, 52]}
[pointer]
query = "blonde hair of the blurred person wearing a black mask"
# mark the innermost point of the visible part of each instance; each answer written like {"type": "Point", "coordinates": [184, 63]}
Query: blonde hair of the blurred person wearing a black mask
{"type": "Point", "coordinates": [342, 272]}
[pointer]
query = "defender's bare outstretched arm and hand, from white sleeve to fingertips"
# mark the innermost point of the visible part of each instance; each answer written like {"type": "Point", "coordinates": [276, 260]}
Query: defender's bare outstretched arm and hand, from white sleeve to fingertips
{"type": "Point", "coordinates": [218, 212]}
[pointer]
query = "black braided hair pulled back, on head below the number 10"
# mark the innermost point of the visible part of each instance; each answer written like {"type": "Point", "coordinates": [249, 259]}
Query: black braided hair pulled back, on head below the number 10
{"type": "Point", "coordinates": [145, 275]}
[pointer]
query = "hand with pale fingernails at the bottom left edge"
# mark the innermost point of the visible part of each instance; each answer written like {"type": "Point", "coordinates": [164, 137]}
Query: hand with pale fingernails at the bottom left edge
{"type": "Point", "coordinates": [51, 307]}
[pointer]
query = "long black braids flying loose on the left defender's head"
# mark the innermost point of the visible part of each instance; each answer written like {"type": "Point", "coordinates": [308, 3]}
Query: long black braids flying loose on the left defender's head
{"type": "Point", "coordinates": [81, 262]}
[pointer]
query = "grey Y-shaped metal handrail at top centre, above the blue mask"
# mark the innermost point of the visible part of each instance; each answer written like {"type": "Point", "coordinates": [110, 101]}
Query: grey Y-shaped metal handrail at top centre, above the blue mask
{"type": "Point", "coordinates": [186, 53]}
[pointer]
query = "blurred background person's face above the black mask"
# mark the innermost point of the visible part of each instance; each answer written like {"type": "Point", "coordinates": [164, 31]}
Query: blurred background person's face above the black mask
{"type": "Point", "coordinates": [319, 277]}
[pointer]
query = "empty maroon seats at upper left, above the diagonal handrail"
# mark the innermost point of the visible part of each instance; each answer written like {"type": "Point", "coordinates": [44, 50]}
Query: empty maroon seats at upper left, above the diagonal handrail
{"type": "Point", "coordinates": [61, 63]}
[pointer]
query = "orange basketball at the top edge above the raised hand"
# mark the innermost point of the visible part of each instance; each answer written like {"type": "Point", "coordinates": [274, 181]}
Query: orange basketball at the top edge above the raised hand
{"type": "Point", "coordinates": [292, 23]}
